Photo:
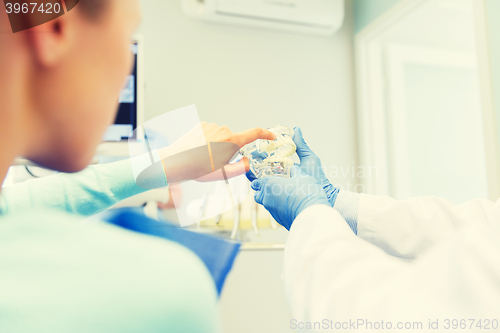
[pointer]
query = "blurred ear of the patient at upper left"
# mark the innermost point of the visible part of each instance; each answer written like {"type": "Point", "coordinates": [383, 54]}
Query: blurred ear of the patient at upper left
{"type": "Point", "coordinates": [49, 43]}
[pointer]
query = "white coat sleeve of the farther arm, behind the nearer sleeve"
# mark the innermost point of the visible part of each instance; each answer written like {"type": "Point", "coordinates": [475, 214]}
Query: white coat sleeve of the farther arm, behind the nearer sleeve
{"type": "Point", "coordinates": [411, 227]}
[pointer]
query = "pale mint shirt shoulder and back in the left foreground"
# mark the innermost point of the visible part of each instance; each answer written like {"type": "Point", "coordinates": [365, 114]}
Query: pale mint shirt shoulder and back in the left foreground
{"type": "Point", "coordinates": [83, 277]}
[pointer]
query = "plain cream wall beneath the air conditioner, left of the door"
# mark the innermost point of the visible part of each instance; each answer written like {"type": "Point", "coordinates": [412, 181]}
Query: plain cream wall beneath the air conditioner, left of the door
{"type": "Point", "coordinates": [244, 78]}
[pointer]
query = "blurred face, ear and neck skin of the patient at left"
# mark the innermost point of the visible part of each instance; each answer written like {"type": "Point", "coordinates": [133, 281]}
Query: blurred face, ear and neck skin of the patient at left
{"type": "Point", "coordinates": [60, 81]}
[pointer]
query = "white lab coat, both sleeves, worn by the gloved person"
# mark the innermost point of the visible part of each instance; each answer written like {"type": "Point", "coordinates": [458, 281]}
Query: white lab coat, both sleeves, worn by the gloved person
{"type": "Point", "coordinates": [413, 261]}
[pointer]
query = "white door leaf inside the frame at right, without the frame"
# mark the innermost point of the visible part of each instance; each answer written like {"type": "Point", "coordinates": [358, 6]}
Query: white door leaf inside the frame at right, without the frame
{"type": "Point", "coordinates": [437, 142]}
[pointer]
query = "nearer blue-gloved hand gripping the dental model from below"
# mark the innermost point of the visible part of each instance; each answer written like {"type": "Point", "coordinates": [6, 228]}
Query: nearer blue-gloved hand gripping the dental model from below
{"type": "Point", "coordinates": [286, 198]}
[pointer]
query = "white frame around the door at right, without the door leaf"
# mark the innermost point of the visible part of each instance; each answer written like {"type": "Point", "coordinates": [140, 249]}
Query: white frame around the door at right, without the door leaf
{"type": "Point", "coordinates": [374, 142]}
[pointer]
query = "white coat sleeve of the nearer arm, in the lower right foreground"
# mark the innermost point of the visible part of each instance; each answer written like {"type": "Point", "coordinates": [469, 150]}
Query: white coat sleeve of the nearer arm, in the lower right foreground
{"type": "Point", "coordinates": [332, 274]}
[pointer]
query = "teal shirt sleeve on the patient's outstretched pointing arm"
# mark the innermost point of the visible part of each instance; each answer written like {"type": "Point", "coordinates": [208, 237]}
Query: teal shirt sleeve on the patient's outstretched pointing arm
{"type": "Point", "coordinates": [85, 193]}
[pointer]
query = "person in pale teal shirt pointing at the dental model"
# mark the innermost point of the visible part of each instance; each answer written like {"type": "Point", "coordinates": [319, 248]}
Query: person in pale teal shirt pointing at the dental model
{"type": "Point", "coordinates": [58, 275]}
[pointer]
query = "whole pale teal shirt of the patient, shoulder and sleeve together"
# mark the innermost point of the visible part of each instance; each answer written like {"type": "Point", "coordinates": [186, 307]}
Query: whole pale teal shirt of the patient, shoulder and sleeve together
{"type": "Point", "coordinates": [59, 274]}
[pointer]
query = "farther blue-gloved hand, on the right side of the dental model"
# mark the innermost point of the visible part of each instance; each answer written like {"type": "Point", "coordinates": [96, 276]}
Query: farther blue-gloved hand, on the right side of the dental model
{"type": "Point", "coordinates": [310, 164]}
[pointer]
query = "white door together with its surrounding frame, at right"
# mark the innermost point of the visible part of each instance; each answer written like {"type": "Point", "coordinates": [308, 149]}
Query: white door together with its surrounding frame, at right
{"type": "Point", "coordinates": [424, 122]}
